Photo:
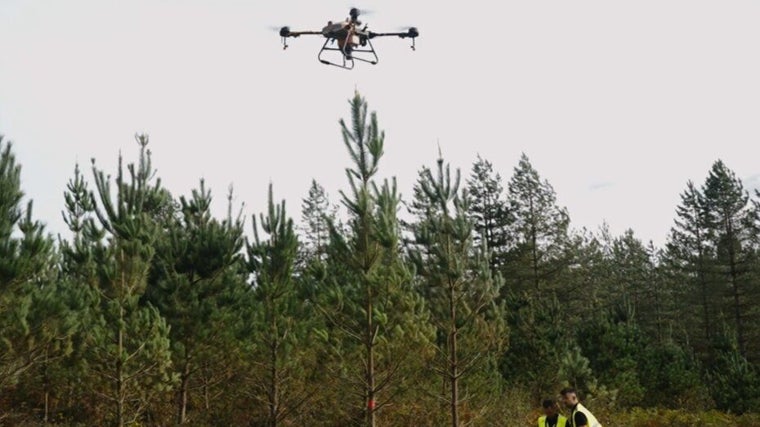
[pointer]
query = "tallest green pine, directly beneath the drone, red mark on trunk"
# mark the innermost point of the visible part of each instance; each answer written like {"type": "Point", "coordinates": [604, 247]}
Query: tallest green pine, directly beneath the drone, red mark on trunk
{"type": "Point", "coordinates": [374, 320]}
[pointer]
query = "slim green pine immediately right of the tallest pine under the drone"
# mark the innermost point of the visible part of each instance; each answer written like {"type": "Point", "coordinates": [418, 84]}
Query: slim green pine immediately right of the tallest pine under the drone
{"type": "Point", "coordinates": [459, 287]}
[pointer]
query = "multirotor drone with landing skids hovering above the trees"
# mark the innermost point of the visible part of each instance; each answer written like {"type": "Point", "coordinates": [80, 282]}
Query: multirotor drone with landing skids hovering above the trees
{"type": "Point", "coordinates": [354, 42]}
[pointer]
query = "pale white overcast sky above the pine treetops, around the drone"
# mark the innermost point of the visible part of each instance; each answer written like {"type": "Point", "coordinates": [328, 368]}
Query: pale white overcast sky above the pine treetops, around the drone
{"type": "Point", "coordinates": [616, 103]}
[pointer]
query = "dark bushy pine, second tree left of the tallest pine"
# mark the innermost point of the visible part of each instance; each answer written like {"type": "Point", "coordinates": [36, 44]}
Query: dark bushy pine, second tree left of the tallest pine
{"type": "Point", "coordinates": [196, 271]}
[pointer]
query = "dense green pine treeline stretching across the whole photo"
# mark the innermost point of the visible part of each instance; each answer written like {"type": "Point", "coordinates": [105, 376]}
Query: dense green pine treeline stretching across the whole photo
{"type": "Point", "coordinates": [480, 303]}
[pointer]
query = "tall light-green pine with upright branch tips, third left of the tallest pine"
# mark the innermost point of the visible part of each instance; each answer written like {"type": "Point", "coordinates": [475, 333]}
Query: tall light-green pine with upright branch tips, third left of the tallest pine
{"type": "Point", "coordinates": [129, 352]}
